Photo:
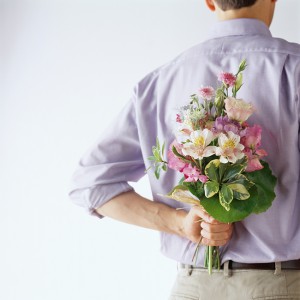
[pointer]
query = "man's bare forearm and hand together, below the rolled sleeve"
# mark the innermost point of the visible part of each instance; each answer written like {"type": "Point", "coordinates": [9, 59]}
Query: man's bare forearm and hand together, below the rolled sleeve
{"type": "Point", "coordinates": [134, 209]}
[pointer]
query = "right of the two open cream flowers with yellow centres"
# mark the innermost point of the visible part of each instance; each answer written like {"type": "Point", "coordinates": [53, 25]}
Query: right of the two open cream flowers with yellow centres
{"type": "Point", "coordinates": [230, 149]}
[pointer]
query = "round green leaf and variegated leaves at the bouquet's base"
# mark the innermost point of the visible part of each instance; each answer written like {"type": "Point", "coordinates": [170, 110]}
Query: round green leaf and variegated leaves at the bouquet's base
{"type": "Point", "coordinates": [230, 196]}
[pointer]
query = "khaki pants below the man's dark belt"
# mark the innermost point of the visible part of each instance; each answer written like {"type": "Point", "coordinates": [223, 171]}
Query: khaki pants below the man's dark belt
{"type": "Point", "coordinates": [197, 284]}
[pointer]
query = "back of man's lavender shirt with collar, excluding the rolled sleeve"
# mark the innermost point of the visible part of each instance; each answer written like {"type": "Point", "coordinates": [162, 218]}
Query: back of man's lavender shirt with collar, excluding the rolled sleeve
{"type": "Point", "coordinates": [272, 84]}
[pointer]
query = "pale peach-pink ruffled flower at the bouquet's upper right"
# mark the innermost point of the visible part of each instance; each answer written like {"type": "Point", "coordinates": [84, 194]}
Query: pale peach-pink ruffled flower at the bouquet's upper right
{"type": "Point", "coordinates": [238, 109]}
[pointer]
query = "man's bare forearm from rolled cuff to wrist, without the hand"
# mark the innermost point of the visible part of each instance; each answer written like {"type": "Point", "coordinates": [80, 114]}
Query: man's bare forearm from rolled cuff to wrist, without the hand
{"type": "Point", "coordinates": [134, 209]}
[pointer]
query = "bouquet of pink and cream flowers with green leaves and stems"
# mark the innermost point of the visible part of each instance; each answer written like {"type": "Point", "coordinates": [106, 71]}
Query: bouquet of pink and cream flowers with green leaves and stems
{"type": "Point", "coordinates": [219, 156]}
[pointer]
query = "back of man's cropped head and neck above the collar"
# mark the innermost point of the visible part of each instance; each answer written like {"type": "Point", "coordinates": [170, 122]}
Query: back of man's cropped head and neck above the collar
{"type": "Point", "coordinates": [262, 10]}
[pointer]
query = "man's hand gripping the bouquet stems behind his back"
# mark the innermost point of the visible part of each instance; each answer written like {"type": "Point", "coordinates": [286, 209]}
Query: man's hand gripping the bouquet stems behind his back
{"type": "Point", "coordinates": [199, 223]}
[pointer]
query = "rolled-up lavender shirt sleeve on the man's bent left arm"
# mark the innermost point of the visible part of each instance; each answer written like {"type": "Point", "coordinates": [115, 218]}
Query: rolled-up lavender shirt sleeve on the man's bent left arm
{"type": "Point", "coordinates": [105, 169]}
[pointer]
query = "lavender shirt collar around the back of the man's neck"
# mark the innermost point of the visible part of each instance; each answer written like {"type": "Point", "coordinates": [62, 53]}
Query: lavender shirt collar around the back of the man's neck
{"type": "Point", "coordinates": [239, 27]}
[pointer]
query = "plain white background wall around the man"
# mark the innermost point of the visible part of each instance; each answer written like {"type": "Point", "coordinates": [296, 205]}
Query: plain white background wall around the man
{"type": "Point", "coordinates": [66, 69]}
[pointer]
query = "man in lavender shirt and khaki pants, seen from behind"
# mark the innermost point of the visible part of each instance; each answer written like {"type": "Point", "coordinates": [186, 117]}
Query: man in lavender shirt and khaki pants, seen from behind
{"type": "Point", "coordinates": [260, 255]}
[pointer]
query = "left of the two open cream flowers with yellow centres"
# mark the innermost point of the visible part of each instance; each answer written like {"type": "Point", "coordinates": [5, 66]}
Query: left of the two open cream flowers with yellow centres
{"type": "Point", "coordinates": [198, 147]}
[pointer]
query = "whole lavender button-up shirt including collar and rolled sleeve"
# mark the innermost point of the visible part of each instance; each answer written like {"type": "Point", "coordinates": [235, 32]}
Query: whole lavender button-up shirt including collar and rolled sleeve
{"type": "Point", "coordinates": [272, 84]}
